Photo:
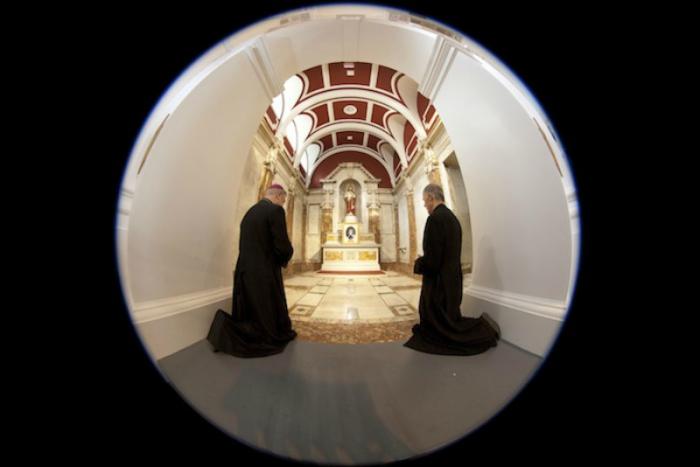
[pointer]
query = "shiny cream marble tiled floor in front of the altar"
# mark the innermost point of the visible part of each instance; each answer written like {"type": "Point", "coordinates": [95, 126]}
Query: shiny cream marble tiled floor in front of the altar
{"type": "Point", "coordinates": [343, 308]}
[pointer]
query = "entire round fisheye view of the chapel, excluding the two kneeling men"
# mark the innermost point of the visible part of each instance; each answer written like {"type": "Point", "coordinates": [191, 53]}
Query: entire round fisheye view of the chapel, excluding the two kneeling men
{"type": "Point", "coordinates": [353, 109]}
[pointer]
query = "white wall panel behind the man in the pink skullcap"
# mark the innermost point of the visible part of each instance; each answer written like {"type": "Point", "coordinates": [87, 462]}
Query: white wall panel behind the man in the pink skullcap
{"type": "Point", "coordinates": [181, 221]}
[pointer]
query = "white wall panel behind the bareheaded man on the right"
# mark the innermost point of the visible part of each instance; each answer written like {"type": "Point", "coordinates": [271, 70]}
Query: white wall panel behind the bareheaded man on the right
{"type": "Point", "coordinates": [520, 220]}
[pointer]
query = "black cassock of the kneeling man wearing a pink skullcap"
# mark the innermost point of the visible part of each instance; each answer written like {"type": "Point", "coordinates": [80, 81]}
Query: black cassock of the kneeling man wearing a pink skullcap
{"type": "Point", "coordinates": [259, 324]}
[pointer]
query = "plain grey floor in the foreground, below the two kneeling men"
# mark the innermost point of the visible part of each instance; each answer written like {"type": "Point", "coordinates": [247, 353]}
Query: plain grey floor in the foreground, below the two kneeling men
{"type": "Point", "coordinates": [348, 404]}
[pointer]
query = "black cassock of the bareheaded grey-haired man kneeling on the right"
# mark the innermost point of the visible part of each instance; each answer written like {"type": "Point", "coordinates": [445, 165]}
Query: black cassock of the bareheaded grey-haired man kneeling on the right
{"type": "Point", "coordinates": [442, 328]}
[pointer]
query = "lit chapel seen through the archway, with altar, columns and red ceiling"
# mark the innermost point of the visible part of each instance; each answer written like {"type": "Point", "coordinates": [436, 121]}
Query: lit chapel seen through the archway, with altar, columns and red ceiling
{"type": "Point", "coordinates": [353, 143]}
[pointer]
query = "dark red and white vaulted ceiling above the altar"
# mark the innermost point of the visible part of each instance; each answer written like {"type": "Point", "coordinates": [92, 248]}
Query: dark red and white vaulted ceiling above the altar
{"type": "Point", "coordinates": [350, 111]}
